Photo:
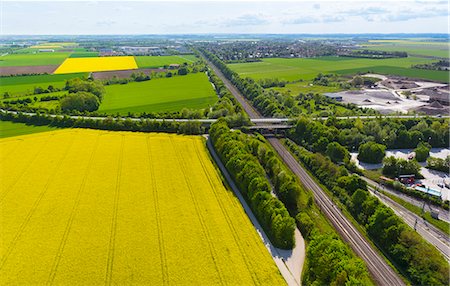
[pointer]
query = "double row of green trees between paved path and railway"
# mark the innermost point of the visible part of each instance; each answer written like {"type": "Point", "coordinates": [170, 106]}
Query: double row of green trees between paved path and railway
{"type": "Point", "coordinates": [257, 170]}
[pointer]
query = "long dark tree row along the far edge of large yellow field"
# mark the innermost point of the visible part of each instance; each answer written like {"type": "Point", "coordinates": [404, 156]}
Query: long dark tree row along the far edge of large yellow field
{"type": "Point", "coordinates": [143, 125]}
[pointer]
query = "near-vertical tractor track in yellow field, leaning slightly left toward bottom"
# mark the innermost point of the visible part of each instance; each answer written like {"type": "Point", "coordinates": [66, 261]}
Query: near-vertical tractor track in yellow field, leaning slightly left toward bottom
{"type": "Point", "coordinates": [112, 237]}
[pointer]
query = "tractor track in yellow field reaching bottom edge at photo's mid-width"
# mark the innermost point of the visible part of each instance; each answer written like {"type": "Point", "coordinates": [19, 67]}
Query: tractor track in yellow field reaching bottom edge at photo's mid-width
{"type": "Point", "coordinates": [201, 219]}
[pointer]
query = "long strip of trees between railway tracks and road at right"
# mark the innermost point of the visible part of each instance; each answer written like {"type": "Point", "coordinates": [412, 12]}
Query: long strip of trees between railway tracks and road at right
{"type": "Point", "coordinates": [401, 244]}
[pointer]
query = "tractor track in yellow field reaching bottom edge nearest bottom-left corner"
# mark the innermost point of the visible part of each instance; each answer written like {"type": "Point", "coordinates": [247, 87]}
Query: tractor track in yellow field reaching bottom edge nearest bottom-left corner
{"type": "Point", "coordinates": [68, 227]}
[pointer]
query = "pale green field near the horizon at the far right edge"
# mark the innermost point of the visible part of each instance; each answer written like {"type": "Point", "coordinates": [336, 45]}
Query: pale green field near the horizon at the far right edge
{"type": "Point", "coordinates": [435, 49]}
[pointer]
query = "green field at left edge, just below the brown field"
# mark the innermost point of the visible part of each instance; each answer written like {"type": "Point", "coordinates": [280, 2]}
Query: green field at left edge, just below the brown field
{"type": "Point", "coordinates": [21, 85]}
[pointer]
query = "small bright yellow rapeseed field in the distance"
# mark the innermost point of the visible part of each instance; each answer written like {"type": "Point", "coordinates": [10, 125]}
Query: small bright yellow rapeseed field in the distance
{"type": "Point", "coordinates": [93, 64]}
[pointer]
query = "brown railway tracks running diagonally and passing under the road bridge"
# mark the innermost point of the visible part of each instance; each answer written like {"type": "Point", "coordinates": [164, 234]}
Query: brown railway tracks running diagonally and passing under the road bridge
{"type": "Point", "coordinates": [382, 273]}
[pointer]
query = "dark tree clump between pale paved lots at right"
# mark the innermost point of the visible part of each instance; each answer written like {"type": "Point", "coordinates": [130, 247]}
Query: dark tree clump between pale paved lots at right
{"type": "Point", "coordinates": [394, 167]}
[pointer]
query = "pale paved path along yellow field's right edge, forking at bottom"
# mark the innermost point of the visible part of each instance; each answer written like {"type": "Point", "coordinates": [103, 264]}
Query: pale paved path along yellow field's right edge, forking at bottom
{"type": "Point", "coordinates": [289, 262]}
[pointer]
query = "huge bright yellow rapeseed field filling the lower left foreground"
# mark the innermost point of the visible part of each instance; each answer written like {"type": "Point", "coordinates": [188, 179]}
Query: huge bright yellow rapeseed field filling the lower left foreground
{"type": "Point", "coordinates": [87, 207]}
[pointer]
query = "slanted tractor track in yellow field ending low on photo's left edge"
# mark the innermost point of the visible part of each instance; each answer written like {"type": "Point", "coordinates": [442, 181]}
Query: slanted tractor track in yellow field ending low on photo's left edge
{"type": "Point", "coordinates": [34, 207]}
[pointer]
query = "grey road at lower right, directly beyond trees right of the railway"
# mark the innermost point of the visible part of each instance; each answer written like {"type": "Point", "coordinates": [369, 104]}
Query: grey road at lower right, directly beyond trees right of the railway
{"type": "Point", "coordinates": [430, 233]}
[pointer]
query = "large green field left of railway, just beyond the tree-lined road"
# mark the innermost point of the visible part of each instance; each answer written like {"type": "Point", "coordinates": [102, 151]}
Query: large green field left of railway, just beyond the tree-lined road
{"type": "Point", "coordinates": [166, 94]}
